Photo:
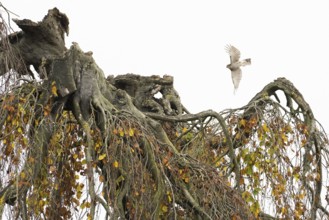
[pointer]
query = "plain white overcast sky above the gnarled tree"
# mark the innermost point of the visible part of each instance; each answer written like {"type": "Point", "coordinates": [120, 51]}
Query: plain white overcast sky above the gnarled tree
{"type": "Point", "coordinates": [186, 39]}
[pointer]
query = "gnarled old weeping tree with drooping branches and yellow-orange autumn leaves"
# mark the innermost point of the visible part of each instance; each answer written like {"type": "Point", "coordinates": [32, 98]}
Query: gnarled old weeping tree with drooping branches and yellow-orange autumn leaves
{"type": "Point", "coordinates": [74, 142]}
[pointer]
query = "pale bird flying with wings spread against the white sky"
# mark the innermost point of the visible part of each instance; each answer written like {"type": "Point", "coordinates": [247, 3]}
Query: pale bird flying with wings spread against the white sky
{"type": "Point", "coordinates": [235, 65]}
